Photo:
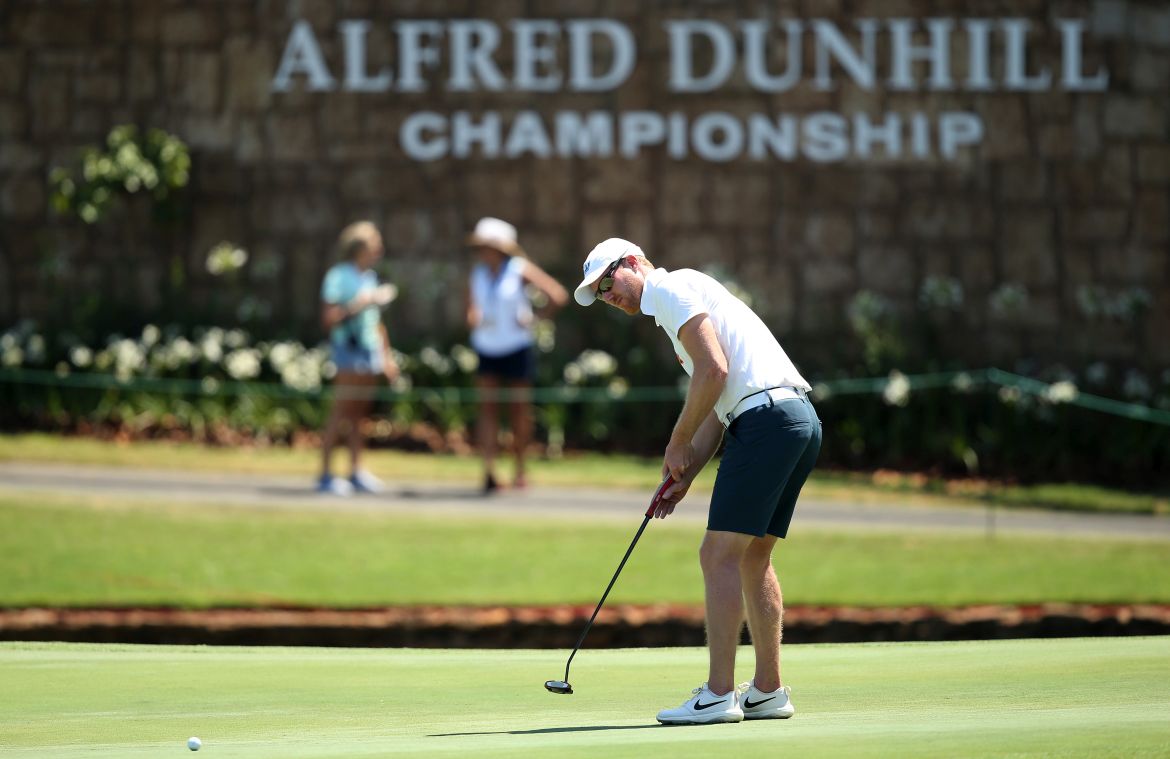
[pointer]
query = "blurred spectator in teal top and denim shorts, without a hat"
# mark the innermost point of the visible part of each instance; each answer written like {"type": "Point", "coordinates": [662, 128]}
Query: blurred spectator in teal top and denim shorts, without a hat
{"type": "Point", "coordinates": [350, 310]}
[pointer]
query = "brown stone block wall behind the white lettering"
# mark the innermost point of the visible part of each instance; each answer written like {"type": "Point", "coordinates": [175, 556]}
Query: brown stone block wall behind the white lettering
{"type": "Point", "coordinates": [1066, 195]}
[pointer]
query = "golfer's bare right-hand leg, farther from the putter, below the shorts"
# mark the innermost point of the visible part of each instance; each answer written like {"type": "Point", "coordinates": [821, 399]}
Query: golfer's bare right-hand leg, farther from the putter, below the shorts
{"type": "Point", "coordinates": [766, 610]}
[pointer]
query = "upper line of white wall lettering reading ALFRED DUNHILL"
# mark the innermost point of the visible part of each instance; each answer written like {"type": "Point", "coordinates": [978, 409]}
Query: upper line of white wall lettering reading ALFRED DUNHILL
{"type": "Point", "coordinates": [471, 49]}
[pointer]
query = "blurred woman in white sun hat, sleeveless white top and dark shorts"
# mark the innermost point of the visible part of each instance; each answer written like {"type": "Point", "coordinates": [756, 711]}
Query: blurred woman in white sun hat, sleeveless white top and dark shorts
{"type": "Point", "coordinates": [500, 316]}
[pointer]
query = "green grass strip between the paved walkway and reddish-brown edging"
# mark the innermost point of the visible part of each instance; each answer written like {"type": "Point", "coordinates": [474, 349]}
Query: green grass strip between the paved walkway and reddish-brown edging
{"type": "Point", "coordinates": [111, 551]}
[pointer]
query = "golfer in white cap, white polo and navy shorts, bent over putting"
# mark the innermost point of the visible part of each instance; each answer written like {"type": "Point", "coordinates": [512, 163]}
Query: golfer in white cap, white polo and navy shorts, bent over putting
{"type": "Point", "coordinates": [742, 384]}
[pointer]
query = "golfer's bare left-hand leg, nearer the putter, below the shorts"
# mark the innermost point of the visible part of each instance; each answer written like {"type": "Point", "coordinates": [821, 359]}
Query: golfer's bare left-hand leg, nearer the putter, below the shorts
{"type": "Point", "coordinates": [720, 558]}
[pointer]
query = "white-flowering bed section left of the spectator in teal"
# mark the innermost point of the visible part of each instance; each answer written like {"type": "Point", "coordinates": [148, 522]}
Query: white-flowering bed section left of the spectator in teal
{"type": "Point", "coordinates": [163, 379]}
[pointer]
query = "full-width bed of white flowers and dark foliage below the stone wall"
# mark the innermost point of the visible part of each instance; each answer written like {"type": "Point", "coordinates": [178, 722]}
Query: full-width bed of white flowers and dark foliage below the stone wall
{"type": "Point", "coordinates": [224, 385]}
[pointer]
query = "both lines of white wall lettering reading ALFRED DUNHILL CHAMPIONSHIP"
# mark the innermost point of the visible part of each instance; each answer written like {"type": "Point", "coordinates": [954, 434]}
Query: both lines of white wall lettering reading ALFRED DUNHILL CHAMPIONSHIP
{"type": "Point", "coordinates": [772, 57]}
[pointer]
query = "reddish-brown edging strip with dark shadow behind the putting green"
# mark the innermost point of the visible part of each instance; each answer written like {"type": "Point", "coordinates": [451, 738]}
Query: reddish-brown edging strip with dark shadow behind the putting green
{"type": "Point", "coordinates": [560, 626]}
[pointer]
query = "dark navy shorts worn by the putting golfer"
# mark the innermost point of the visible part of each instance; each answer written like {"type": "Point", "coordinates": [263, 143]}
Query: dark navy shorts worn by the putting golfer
{"type": "Point", "coordinates": [769, 453]}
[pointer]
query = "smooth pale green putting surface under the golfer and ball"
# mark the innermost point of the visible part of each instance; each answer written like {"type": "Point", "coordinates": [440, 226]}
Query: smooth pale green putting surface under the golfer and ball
{"type": "Point", "coordinates": [1055, 698]}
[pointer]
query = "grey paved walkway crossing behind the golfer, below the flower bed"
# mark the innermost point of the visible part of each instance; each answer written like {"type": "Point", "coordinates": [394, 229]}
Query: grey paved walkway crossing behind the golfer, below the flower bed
{"type": "Point", "coordinates": [813, 514]}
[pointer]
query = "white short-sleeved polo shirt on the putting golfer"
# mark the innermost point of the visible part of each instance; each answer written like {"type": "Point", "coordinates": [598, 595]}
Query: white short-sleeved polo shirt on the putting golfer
{"type": "Point", "coordinates": [756, 362]}
